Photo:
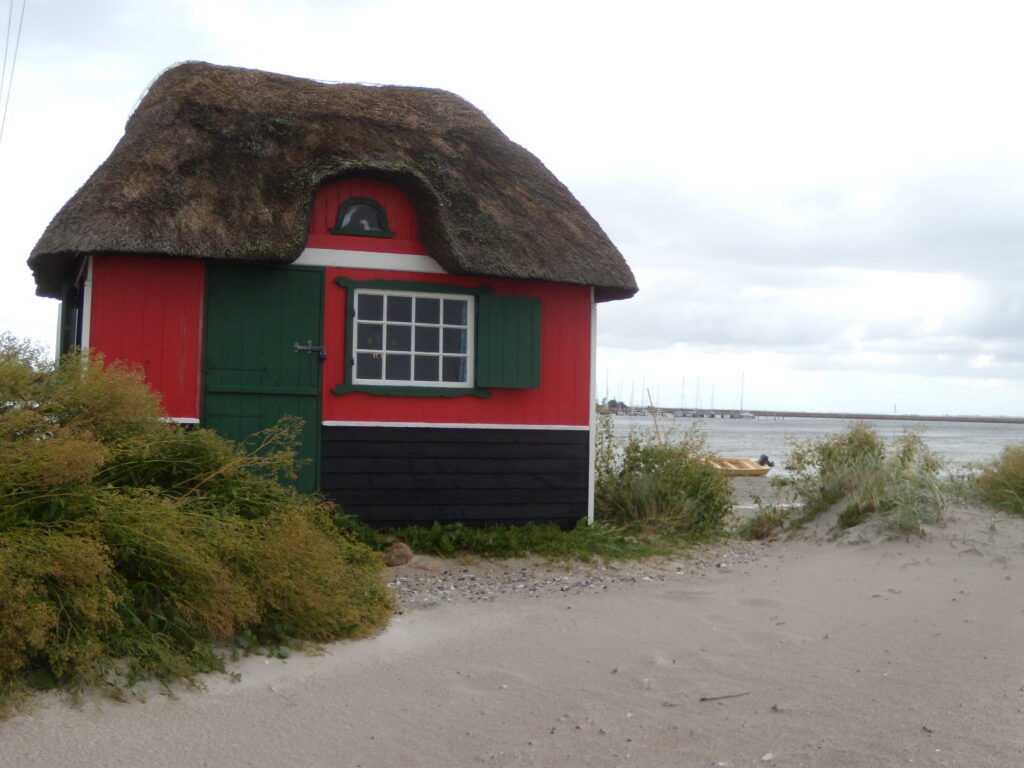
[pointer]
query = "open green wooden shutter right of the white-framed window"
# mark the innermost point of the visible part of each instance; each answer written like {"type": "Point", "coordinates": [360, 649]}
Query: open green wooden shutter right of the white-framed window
{"type": "Point", "coordinates": [508, 343]}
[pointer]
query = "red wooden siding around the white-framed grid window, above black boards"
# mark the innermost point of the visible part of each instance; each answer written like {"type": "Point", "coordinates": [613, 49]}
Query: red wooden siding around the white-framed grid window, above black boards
{"type": "Point", "coordinates": [565, 395]}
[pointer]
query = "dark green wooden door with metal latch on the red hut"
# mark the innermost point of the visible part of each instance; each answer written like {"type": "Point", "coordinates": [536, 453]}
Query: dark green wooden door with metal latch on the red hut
{"type": "Point", "coordinates": [252, 374]}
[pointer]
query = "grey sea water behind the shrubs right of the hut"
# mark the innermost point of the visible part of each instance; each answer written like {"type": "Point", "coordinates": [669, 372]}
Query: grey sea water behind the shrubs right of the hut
{"type": "Point", "coordinates": [961, 444]}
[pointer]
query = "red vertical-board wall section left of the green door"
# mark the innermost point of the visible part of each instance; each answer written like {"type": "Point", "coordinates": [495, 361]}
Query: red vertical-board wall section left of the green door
{"type": "Point", "coordinates": [148, 312]}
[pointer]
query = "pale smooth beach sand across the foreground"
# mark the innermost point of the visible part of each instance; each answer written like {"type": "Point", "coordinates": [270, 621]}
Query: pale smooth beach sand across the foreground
{"type": "Point", "coordinates": [813, 653]}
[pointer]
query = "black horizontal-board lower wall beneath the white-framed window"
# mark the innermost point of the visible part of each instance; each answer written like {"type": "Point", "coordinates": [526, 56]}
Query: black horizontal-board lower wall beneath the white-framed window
{"type": "Point", "coordinates": [416, 476]}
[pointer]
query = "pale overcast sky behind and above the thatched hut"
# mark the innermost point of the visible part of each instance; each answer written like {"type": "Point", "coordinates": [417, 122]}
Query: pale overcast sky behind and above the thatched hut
{"type": "Point", "coordinates": [823, 200]}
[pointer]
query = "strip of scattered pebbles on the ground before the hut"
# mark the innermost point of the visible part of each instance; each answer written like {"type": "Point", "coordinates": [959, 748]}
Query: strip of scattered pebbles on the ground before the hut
{"type": "Point", "coordinates": [488, 581]}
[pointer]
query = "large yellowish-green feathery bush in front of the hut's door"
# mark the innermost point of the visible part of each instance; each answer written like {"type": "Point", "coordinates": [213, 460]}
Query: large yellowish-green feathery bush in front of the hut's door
{"type": "Point", "coordinates": [129, 546]}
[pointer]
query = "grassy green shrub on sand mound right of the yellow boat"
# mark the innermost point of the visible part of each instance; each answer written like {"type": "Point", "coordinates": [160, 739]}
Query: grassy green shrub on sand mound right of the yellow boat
{"type": "Point", "coordinates": [899, 484]}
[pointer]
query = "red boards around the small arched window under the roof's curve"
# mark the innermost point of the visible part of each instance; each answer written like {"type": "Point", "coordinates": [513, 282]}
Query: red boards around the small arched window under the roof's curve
{"type": "Point", "coordinates": [401, 218]}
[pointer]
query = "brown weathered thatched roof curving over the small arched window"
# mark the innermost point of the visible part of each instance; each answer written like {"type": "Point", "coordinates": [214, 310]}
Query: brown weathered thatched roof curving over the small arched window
{"type": "Point", "coordinates": [224, 163]}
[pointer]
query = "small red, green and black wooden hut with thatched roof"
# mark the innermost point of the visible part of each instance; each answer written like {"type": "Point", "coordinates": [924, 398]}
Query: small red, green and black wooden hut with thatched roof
{"type": "Point", "coordinates": [381, 262]}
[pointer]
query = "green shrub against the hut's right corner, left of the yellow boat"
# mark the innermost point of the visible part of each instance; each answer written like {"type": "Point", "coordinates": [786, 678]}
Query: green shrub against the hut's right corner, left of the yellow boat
{"type": "Point", "coordinates": [647, 485]}
